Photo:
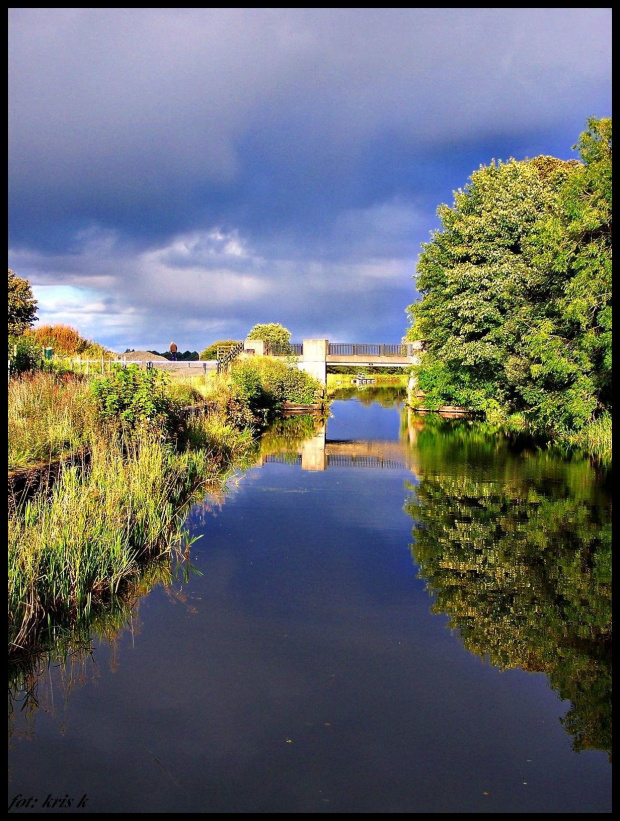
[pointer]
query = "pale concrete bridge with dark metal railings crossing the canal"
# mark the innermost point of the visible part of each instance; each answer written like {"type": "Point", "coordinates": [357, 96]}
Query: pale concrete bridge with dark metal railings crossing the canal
{"type": "Point", "coordinates": [314, 355]}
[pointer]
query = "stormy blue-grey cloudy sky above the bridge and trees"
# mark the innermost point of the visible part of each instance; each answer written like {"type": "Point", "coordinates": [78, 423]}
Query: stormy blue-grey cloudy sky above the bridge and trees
{"type": "Point", "coordinates": [183, 174]}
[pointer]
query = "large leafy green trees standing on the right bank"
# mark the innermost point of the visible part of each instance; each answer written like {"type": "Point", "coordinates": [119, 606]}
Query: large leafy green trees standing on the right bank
{"type": "Point", "coordinates": [516, 291]}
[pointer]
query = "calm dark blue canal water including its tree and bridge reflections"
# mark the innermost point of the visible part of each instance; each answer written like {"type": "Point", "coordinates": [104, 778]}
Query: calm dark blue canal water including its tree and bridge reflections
{"type": "Point", "coordinates": [394, 615]}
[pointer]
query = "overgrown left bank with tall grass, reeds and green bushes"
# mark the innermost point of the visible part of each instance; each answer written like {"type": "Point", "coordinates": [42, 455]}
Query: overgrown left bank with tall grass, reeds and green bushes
{"type": "Point", "coordinates": [75, 547]}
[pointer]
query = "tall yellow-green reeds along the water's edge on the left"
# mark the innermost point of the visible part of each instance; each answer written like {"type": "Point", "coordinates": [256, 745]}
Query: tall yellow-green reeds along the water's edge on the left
{"type": "Point", "coordinates": [76, 548]}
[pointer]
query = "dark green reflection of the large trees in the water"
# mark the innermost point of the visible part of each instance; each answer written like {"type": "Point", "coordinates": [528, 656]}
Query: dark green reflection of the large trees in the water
{"type": "Point", "coordinates": [514, 544]}
